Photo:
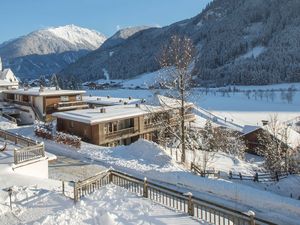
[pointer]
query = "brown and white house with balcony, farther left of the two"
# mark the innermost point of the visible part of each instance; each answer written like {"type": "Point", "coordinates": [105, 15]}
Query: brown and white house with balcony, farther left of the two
{"type": "Point", "coordinates": [40, 103]}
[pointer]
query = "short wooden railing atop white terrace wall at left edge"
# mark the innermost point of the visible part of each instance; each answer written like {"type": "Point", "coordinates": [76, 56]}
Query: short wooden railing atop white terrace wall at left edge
{"type": "Point", "coordinates": [31, 149]}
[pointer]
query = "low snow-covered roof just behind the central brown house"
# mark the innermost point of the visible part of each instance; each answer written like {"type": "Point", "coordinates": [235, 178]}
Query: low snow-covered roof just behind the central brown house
{"type": "Point", "coordinates": [107, 100]}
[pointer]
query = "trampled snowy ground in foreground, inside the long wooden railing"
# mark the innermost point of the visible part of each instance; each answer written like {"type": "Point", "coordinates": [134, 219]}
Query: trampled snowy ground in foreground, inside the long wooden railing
{"type": "Point", "coordinates": [111, 205]}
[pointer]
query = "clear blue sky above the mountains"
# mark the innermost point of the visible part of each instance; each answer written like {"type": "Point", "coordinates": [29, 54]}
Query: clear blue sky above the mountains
{"type": "Point", "coordinates": [19, 17]}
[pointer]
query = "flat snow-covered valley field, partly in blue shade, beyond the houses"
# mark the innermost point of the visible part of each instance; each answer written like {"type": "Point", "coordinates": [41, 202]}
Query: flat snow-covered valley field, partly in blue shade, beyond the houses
{"type": "Point", "coordinates": [235, 107]}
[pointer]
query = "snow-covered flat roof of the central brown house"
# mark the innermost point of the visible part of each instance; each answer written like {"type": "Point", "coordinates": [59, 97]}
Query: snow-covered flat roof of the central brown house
{"type": "Point", "coordinates": [94, 116]}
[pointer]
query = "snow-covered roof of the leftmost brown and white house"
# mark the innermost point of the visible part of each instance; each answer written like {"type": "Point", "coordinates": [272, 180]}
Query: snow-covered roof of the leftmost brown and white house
{"type": "Point", "coordinates": [46, 92]}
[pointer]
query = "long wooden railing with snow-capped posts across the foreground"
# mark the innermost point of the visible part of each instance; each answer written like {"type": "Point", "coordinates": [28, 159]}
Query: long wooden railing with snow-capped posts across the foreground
{"type": "Point", "coordinates": [182, 202]}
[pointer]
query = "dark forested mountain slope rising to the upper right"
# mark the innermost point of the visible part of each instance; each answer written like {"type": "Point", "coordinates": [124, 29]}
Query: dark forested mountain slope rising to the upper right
{"type": "Point", "coordinates": [237, 42]}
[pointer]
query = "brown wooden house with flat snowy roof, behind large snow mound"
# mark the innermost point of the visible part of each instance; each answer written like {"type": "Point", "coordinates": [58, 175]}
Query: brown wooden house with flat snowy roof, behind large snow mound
{"type": "Point", "coordinates": [116, 125]}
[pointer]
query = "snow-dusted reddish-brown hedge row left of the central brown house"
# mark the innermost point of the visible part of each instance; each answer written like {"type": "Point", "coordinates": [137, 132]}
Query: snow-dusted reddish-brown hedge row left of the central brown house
{"type": "Point", "coordinates": [59, 137]}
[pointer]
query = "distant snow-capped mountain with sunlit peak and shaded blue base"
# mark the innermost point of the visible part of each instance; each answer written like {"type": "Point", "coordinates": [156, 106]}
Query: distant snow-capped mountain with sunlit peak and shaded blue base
{"type": "Point", "coordinates": [47, 51]}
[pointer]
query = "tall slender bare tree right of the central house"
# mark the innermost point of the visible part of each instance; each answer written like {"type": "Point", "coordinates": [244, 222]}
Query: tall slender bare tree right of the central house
{"type": "Point", "coordinates": [176, 59]}
